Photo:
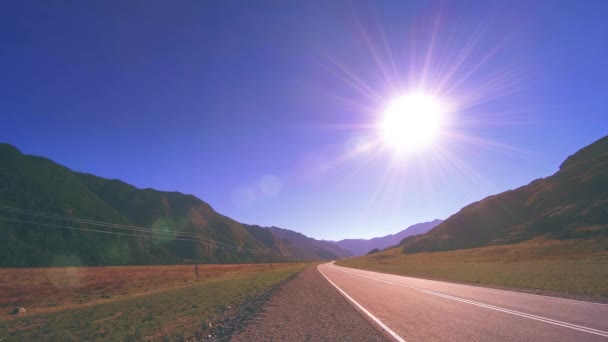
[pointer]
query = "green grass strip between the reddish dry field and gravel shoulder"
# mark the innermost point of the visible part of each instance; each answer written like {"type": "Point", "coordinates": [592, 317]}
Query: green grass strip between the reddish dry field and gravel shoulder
{"type": "Point", "coordinates": [171, 314]}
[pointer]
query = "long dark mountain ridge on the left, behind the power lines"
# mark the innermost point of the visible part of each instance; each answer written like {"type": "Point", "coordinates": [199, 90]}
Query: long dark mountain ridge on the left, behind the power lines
{"type": "Point", "coordinates": [48, 196]}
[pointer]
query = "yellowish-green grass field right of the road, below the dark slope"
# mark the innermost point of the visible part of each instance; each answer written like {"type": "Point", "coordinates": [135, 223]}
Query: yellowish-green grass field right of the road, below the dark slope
{"type": "Point", "coordinates": [576, 267]}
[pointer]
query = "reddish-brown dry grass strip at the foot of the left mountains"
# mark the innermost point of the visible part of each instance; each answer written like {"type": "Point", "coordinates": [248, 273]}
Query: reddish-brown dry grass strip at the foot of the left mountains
{"type": "Point", "coordinates": [44, 290]}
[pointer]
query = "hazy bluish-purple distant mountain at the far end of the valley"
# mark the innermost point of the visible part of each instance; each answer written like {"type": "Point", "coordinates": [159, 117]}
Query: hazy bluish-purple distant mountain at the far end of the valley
{"type": "Point", "coordinates": [360, 247]}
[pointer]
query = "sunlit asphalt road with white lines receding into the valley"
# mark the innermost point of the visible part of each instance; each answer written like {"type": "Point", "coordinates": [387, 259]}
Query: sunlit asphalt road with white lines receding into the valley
{"type": "Point", "coordinates": [413, 309]}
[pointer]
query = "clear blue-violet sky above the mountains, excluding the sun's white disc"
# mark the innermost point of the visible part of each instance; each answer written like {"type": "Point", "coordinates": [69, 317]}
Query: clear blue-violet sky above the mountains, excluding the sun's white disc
{"type": "Point", "coordinates": [269, 110]}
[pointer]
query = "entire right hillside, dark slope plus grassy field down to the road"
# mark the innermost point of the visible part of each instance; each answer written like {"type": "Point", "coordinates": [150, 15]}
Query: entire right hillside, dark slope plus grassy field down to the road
{"type": "Point", "coordinates": [548, 237]}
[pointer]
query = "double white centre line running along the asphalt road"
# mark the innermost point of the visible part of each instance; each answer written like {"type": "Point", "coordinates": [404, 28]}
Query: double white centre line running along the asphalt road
{"type": "Point", "coordinates": [492, 307]}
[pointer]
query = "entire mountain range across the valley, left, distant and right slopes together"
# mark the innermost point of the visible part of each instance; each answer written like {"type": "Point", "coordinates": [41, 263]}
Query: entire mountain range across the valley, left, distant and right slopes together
{"type": "Point", "coordinates": [51, 215]}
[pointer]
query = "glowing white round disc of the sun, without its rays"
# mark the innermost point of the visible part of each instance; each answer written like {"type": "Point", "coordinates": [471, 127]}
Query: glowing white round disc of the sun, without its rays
{"type": "Point", "coordinates": [412, 121]}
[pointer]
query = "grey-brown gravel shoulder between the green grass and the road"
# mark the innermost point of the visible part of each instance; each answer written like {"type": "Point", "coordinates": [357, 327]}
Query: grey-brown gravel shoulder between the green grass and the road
{"type": "Point", "coordinates": [308, 308]}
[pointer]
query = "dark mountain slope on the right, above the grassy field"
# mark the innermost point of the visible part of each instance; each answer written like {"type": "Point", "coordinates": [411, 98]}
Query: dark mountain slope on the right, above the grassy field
{"type": "Point", "coordinates": [571, 204]}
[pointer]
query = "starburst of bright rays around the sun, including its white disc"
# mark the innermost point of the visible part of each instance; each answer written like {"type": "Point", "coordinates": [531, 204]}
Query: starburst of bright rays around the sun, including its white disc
{"type": "Point", "coordinates": [419, 124]}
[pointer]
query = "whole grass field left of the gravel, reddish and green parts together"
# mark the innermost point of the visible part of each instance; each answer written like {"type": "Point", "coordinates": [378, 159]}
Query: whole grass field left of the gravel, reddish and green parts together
{"type": "Point", "coordinates": [127, 303]}
